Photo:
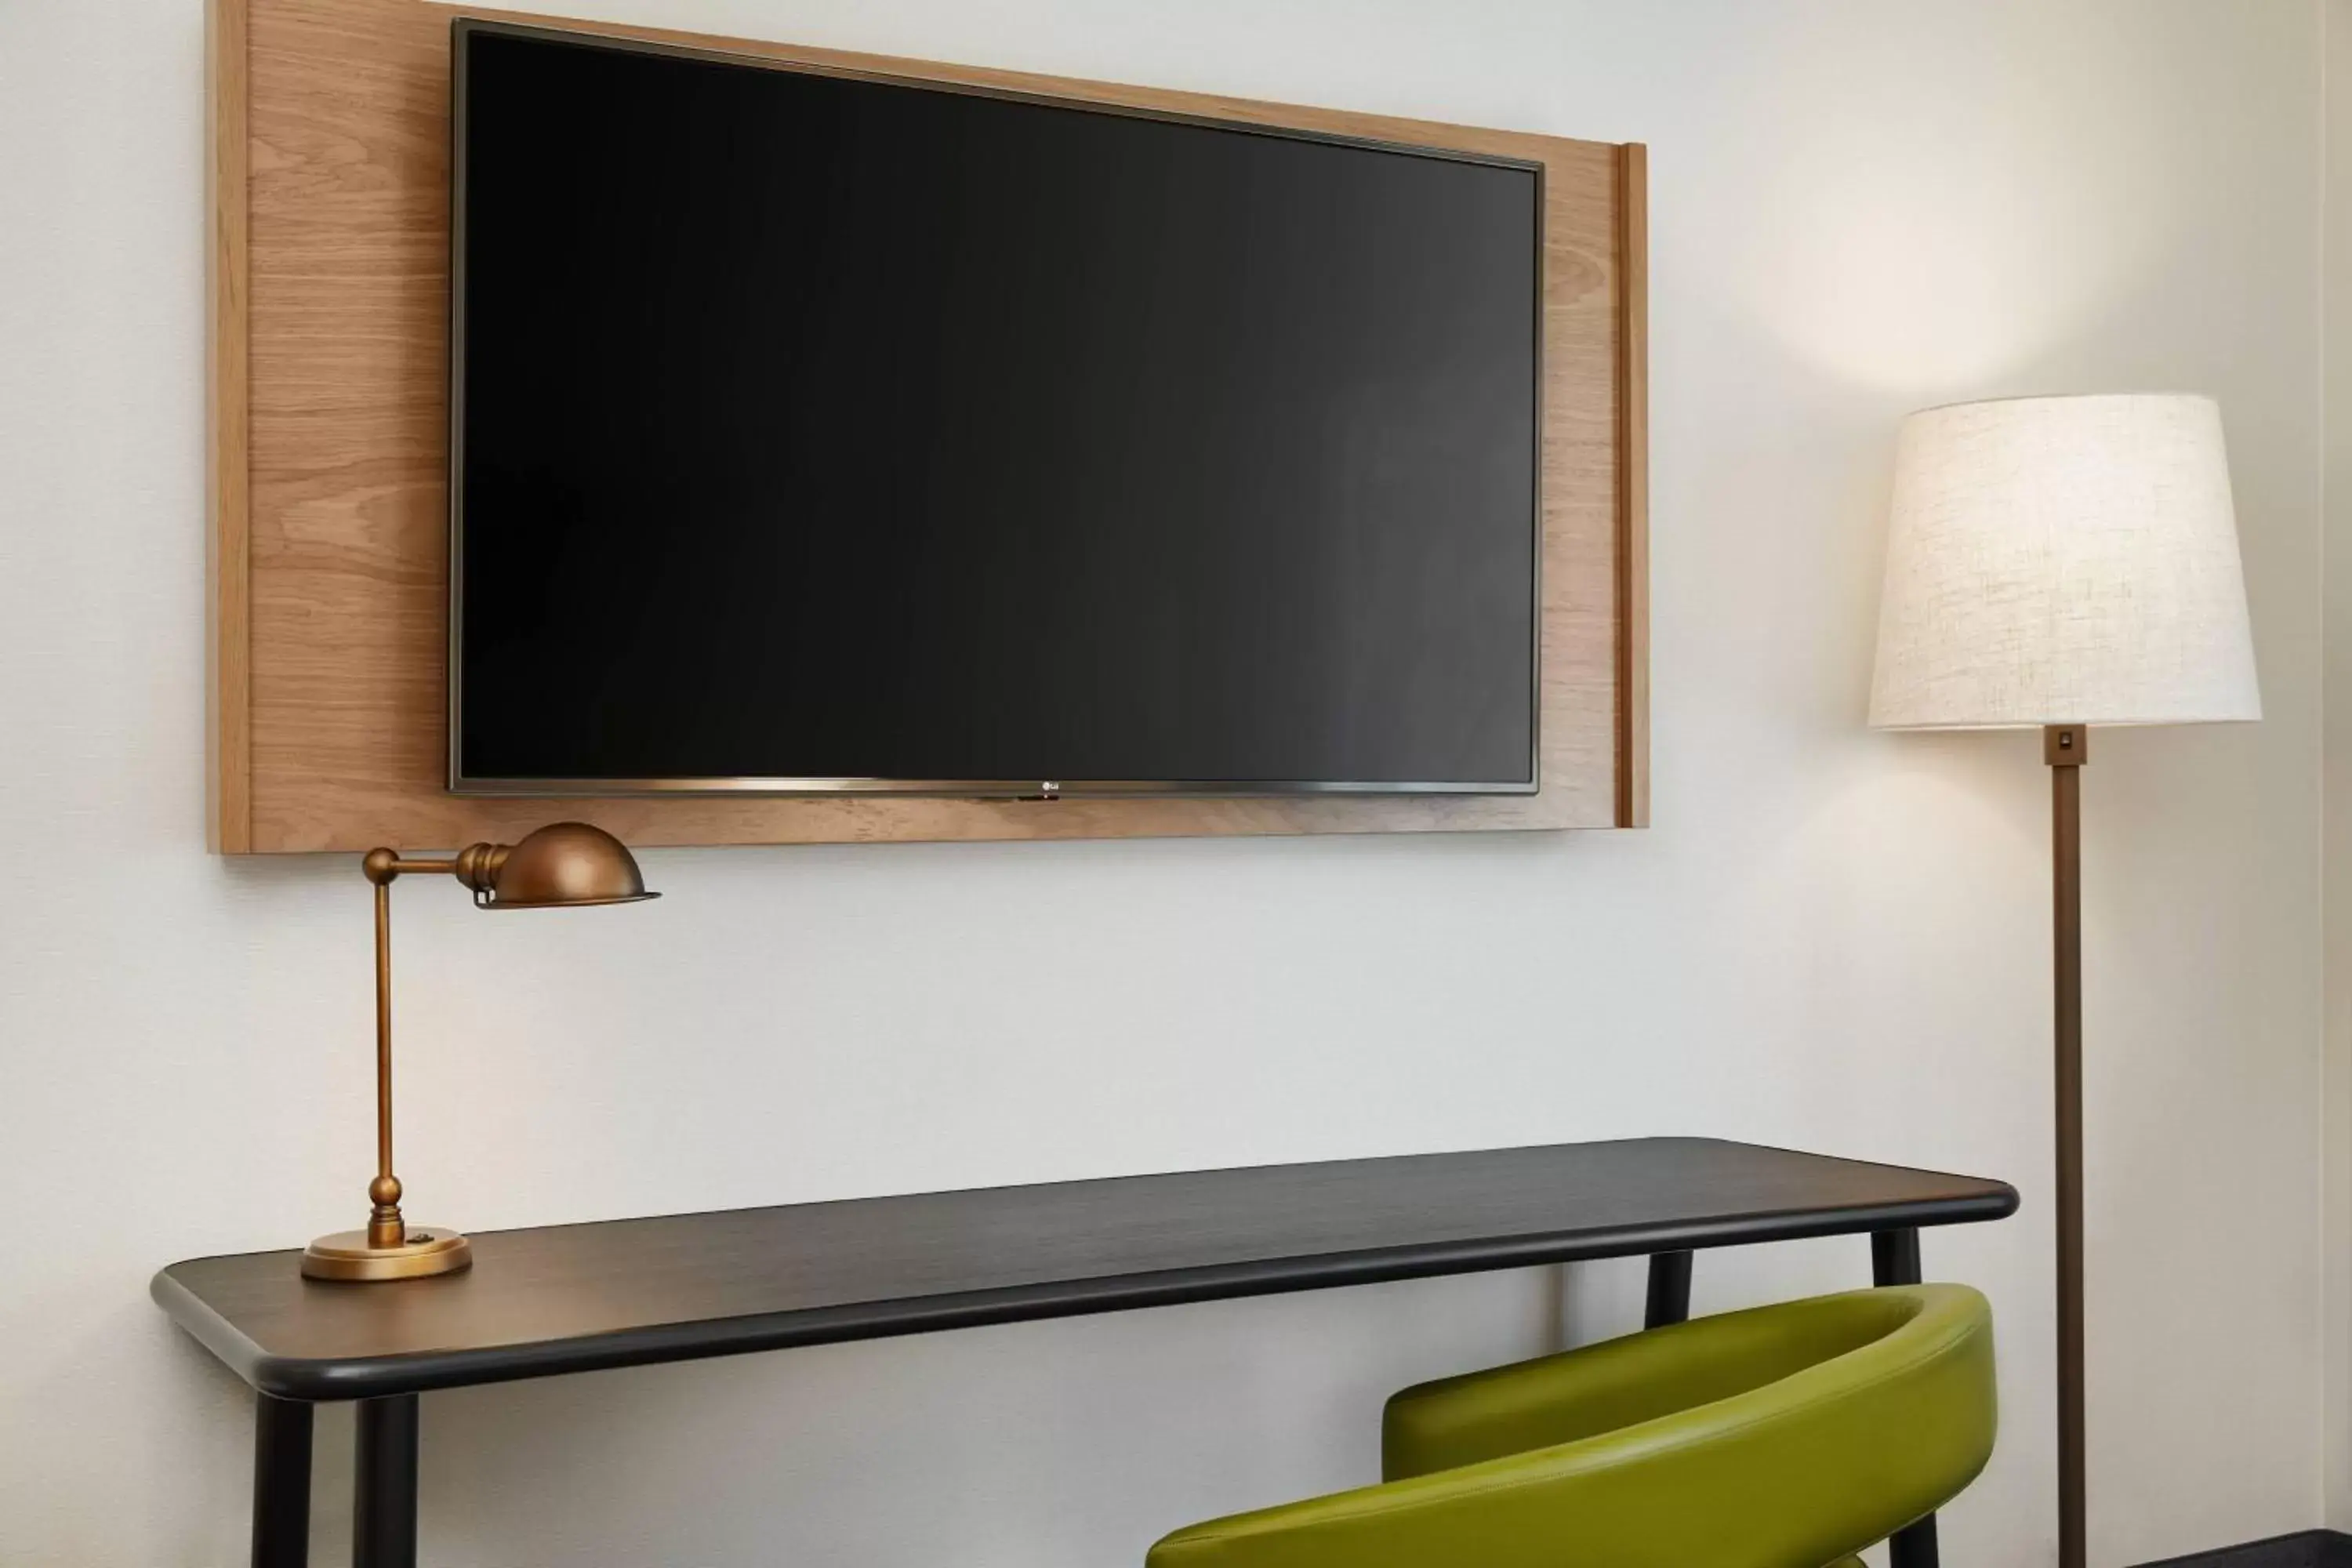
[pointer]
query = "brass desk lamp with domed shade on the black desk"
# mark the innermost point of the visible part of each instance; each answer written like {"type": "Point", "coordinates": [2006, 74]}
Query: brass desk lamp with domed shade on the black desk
{"type": "Point", "coordinates": [563, 866]}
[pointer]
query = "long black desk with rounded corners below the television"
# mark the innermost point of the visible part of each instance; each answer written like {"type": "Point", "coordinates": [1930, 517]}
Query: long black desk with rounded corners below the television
{"type": "Point", "coordinates": [573, 1299]}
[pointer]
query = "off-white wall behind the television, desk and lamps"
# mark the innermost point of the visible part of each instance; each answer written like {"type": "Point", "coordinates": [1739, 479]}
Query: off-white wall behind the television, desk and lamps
{"type": "Point", "coordinates": [1831, 939]}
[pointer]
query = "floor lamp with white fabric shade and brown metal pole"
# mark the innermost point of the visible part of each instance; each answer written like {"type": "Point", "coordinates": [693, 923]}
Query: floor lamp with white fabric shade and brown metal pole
{"type": "Point", "coordinates": [2059, 563]}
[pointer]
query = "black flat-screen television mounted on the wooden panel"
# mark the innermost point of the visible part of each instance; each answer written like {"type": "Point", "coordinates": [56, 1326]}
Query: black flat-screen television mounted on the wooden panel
{"type": "Point", "coordinates": [829, 431]}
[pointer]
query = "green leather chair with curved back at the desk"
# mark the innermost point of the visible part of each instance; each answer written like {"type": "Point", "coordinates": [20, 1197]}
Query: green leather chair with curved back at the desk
{"type": "Point", "coordinates": [1782, 1438]}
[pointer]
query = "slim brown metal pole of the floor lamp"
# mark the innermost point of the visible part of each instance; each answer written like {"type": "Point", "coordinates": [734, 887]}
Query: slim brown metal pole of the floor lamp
{"type": "Point", "coordinates": [2066, 749]}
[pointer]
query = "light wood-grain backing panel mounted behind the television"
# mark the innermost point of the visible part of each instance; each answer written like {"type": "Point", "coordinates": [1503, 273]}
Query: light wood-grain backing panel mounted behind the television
{"type": "Point", "coordinates": [342, 565]}
